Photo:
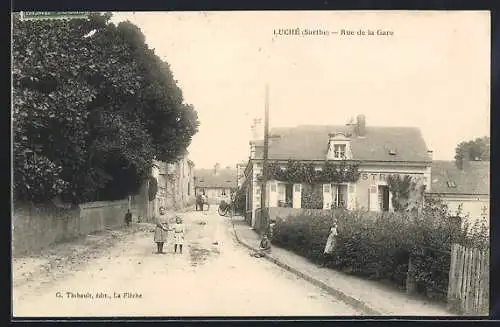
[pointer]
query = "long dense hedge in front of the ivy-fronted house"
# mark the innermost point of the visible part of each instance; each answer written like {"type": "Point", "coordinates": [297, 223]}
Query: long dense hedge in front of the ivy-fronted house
{"type": "Point", "coordinates": [378, 245]}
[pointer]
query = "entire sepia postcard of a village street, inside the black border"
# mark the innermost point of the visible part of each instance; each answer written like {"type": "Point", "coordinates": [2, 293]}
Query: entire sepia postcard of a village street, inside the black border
{"type": "Point", "coordinates": [301, 163]}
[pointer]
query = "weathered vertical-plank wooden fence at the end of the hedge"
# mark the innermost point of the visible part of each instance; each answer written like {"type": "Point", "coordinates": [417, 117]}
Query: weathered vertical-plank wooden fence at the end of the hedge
{"type": "Point", "coordinates": [468, 288]}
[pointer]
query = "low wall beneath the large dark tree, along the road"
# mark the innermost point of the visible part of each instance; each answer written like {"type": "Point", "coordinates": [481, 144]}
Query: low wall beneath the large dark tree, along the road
{"type": "Point", "coordinates": [36, 227]}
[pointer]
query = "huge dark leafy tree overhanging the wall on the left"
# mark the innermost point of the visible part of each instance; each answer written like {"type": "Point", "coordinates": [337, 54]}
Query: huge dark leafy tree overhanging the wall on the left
{"type": "Point", "coordinates": [92, 106]}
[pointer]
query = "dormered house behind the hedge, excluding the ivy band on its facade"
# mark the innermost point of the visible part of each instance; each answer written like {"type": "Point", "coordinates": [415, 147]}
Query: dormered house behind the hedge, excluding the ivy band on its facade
{"type": "Point", "coordinates": [379, 151]}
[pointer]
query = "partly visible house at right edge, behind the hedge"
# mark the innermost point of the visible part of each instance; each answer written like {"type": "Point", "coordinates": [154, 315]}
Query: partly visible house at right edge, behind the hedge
{"type": "Point", "coordinates": [465, 186]}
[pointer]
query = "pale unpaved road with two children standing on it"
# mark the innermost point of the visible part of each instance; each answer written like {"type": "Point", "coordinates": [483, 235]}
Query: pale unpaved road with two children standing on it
{"type": "Point", "coordinates": [129, 279]}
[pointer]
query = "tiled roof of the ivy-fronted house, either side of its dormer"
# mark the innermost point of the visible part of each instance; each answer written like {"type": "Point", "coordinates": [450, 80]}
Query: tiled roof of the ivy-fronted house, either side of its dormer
{"type": "Point", "coordinates": [311, 142]}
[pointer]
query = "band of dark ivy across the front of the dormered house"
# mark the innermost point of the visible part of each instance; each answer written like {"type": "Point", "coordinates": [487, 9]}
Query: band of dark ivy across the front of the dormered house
{"type": "Point", "coordinates": [310, 173]}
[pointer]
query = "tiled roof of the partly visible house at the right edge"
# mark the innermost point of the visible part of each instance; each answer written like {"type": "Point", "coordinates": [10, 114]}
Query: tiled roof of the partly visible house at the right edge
{"type": "Point", "coordinates": [473, 179]}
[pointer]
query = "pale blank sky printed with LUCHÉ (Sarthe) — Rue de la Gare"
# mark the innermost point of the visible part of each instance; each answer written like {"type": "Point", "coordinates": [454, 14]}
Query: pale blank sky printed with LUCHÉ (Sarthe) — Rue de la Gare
{"type": "Point", "coordinates": [433, 72]}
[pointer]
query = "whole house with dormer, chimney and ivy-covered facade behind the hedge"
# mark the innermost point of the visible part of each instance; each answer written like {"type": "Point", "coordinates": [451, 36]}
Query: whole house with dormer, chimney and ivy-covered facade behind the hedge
{"type": "Point", "coordinates": [354, 166]}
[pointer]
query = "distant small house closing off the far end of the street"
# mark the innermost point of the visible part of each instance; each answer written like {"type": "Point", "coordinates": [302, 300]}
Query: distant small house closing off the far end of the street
{"type": "Point", "coordinates": [217, 183]}
